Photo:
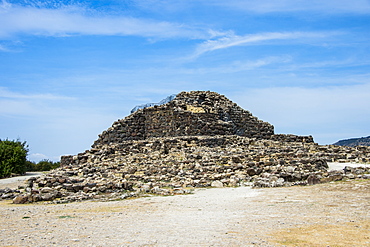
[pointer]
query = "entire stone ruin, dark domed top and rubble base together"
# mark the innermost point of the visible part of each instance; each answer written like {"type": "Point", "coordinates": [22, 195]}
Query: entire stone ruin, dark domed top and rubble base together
{"type": "Point", "coordinates": [198, 139]}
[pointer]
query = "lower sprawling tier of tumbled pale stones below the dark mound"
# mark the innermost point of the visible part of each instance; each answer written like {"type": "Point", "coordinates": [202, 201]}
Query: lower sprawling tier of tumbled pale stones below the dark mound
{"type": "Point", "coordinates": [176, 164]}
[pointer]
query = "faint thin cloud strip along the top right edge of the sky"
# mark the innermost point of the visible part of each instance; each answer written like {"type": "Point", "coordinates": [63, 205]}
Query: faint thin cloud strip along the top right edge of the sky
{"type": "Point", "coordinates": [268, 6]}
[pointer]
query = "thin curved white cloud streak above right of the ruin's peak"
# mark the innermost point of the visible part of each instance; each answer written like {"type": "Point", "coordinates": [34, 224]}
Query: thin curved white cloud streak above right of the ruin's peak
{"type": "Point", "coordinates": [232, 40]}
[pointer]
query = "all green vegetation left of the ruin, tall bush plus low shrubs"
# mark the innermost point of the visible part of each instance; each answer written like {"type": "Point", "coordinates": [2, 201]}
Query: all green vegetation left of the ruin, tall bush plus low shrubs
{"type": "Point", "coordinates": [13, 159]}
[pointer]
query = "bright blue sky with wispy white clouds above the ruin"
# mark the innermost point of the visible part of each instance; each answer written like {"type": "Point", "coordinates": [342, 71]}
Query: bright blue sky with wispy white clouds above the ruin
{"type": "Point", "coordinates": [69, 69]}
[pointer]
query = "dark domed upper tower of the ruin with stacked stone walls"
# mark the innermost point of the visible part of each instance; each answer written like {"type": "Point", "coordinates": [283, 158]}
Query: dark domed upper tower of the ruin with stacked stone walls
{"type": "Point", "coordinates": [195, 113]}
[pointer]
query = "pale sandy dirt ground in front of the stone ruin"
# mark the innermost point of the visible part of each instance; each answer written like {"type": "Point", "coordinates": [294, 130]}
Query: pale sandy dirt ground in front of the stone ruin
{"type": "Point", "coordinates": [333, 214]}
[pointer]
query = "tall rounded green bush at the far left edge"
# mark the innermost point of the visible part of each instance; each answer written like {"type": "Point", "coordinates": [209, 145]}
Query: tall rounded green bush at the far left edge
{"type": "Point", "coordinates": [13, 157]}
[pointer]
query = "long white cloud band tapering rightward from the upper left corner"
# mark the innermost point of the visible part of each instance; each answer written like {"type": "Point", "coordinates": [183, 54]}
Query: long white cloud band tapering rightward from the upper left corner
{"type": "Point", "coordinates": [72, 20]}
